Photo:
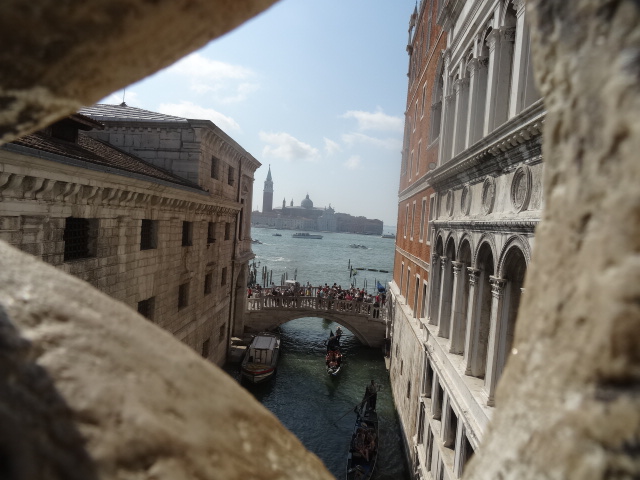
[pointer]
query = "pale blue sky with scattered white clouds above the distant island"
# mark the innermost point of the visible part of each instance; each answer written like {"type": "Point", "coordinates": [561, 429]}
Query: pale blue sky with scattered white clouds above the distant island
{"type": "Point", "coordinates": [315, 89]}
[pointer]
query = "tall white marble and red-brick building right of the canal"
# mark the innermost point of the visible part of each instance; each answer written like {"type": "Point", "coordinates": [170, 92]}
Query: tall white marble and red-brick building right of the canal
{"type": "Point", "coordinates": [470, 199]}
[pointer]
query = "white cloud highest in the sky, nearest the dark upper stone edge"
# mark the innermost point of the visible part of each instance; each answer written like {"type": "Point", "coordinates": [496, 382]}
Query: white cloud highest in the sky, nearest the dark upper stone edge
{"type": "Point", "coordinates": [228, 83]}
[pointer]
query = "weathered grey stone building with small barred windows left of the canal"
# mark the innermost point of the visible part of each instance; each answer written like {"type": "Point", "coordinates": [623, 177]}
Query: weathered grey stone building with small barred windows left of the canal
{"type": "Point", "coordinates": [146, 207]}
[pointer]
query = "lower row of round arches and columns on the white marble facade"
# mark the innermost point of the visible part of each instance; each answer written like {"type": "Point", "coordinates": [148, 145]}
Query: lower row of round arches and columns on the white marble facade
{"type": "Point", "coordinates": [474, 298]}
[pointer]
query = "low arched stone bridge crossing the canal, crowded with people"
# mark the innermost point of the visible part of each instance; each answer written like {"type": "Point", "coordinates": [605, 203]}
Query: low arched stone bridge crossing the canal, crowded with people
{"type": "Point", "coordinates": [364, 320]}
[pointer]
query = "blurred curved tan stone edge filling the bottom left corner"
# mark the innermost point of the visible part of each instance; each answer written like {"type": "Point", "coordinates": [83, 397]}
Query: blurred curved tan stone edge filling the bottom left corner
{"type": "Point", "coordinates": [91, 390]}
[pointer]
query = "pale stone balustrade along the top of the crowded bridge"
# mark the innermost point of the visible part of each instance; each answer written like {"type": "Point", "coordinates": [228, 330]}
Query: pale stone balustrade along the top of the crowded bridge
{"type": "Point", "coordinates": [317, 304]}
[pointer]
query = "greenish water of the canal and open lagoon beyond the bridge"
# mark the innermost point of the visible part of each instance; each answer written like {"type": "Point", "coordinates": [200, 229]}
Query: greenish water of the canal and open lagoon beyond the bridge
{"type": "Point", "coordinates": [318, 408]}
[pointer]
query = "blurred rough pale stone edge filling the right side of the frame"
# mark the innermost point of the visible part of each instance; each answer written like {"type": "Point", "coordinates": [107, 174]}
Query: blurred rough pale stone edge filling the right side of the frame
{"type": "Point", "coordinates": [568, 405]}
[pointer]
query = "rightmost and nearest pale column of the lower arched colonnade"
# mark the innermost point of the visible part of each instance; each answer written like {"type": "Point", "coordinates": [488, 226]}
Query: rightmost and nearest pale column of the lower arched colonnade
{"type": "Point", "coordinates": [495, 334]}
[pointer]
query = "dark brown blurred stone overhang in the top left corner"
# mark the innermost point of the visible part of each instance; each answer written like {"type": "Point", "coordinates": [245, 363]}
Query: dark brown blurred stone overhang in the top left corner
{"type": "Point", "coordinates": [60, 56]}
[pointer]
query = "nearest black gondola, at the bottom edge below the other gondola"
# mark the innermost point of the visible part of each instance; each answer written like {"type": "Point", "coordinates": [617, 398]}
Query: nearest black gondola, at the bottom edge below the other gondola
{"type": "Point", "coordinates": [363, 448]}
